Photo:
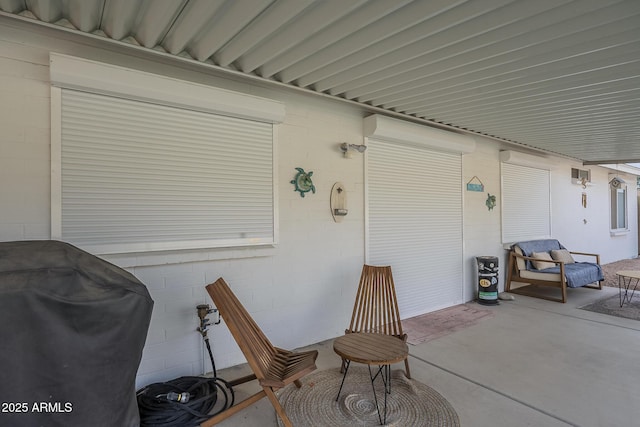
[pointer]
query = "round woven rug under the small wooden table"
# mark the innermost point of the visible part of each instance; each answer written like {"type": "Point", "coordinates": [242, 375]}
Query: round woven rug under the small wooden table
{"type": "Point", "coordinates": [410, 403]}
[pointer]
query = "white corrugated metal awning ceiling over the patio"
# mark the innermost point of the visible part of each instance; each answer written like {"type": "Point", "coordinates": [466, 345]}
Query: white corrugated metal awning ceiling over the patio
{"type": "Point", "coordinates": [558, 75]}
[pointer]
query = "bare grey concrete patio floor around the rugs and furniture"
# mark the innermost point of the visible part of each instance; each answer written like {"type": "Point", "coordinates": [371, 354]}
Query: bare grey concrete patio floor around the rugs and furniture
{"type": "Point", "coordinates": [534, 363]}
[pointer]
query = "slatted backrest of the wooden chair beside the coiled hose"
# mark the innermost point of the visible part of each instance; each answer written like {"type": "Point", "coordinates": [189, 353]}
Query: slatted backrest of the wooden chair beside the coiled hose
{"type": "Point", "coordinates": [255, 346]}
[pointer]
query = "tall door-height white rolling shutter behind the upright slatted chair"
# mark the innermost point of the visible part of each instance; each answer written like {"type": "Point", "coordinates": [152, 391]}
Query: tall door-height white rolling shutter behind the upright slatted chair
{"type": "Point", "coordinates": [414, 199]}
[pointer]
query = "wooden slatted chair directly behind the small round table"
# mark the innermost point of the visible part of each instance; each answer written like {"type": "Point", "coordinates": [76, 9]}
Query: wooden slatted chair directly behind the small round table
{"type": "Point", "coordinates": [376, 307]}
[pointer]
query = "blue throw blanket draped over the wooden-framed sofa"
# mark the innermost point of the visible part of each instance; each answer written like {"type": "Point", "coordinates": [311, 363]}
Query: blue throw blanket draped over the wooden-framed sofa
{"type": "Point", "coordinates": [578, 274]}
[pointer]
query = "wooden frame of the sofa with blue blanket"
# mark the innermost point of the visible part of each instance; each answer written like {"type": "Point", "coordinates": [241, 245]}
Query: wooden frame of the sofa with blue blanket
{"type": "Point", "coordinates": [513, 275]}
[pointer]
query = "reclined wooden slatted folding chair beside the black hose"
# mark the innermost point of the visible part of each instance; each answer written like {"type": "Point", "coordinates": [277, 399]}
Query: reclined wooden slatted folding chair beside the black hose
{"type": "Point", "coordinates": [273, 367]}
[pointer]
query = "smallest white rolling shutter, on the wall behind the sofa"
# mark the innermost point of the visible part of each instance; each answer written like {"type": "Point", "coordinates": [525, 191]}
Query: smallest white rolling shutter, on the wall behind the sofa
{"type": "Point", "coordinates": [526, 203]}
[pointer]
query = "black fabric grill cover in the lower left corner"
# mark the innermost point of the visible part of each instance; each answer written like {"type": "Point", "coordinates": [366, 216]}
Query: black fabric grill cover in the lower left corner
{"type": "Point", "coordinates": [72, 330]}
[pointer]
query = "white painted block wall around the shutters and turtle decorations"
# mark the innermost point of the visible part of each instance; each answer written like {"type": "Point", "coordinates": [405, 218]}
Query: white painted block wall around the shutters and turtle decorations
{"type": "Point", "coordinates": [300, 292]}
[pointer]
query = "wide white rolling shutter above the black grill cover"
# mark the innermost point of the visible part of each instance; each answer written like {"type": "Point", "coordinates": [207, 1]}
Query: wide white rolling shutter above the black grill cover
{"type": "Point", "coordinates": [139, 176]}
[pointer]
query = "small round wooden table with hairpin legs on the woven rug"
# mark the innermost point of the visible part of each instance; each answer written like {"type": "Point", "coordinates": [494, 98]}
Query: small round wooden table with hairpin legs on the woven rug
{"type": "Point", "coordinates": [372, 349]}
